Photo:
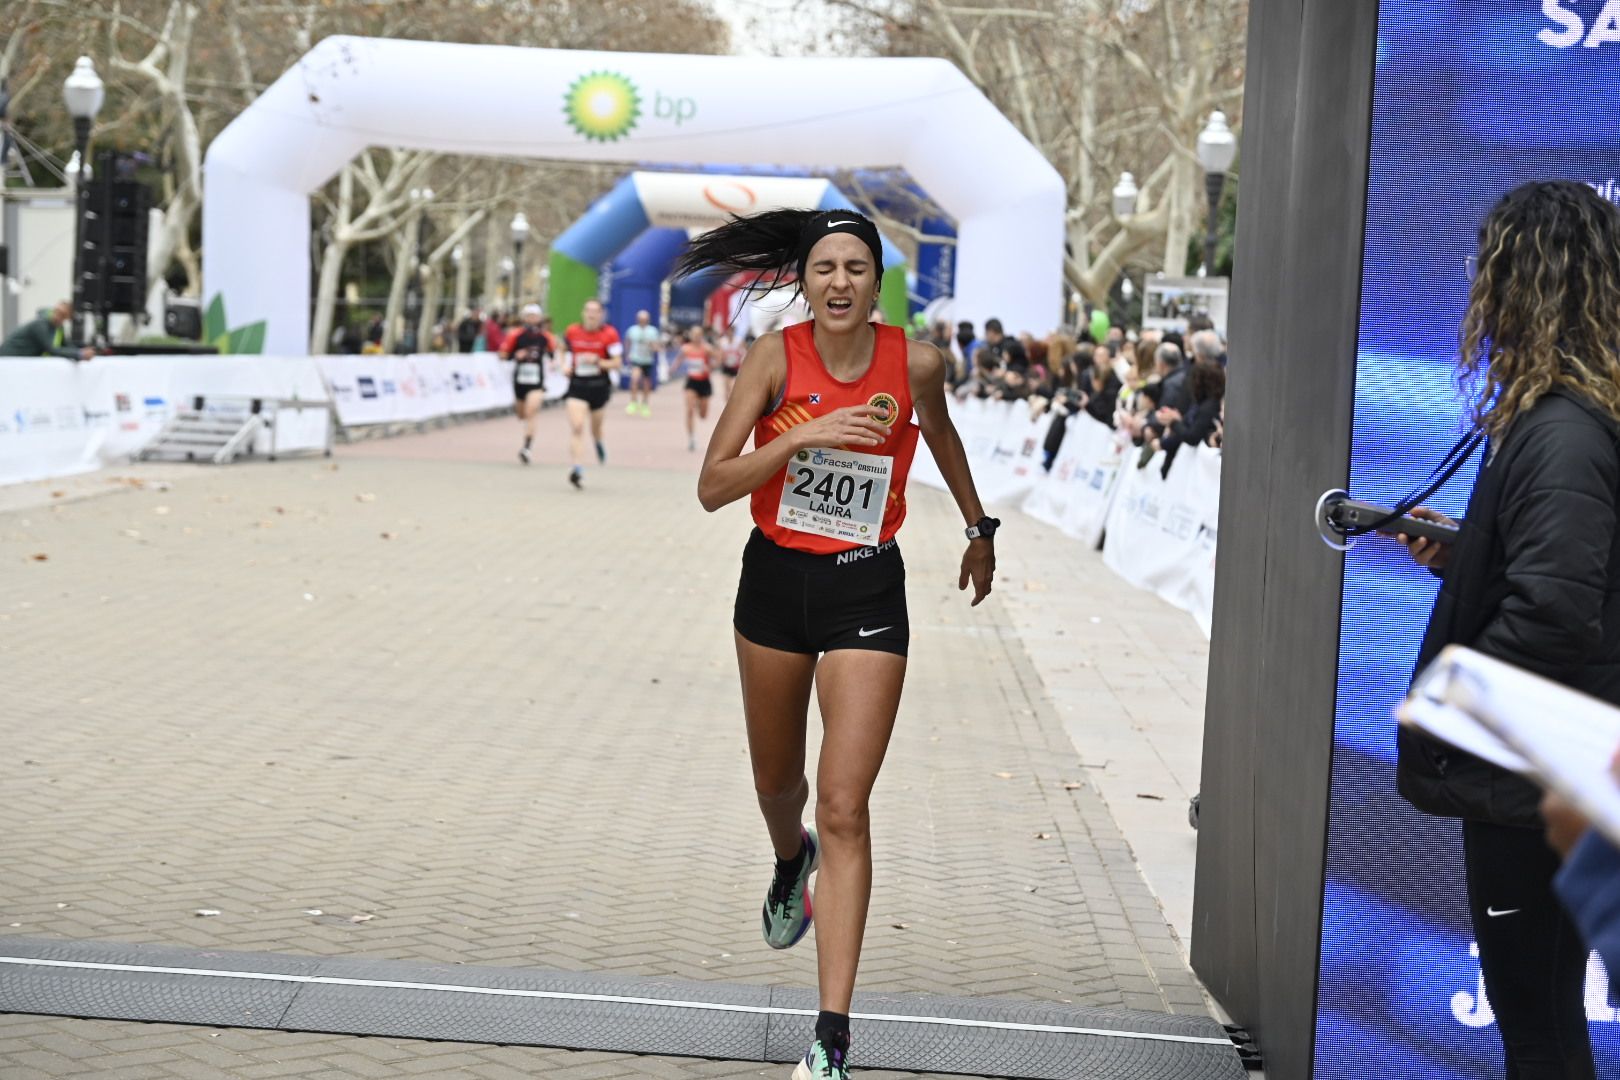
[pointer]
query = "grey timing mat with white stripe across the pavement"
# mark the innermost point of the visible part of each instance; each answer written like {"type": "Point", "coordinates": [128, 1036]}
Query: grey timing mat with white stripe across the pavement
{"type": "Point", "coordinates": [979, 1037]}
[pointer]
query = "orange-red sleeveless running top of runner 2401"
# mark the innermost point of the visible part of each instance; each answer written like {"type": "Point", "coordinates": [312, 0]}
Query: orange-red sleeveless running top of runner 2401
{"type": "Point", "coordinates": [809, 393]}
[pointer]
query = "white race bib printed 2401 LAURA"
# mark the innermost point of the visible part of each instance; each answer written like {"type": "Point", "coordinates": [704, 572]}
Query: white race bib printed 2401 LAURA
{"type": "Point", "coordinates": [837, 493]}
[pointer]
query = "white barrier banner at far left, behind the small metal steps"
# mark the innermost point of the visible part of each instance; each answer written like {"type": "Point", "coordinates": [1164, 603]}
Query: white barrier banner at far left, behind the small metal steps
{"type": "Point", "coordinates": [59, 417]}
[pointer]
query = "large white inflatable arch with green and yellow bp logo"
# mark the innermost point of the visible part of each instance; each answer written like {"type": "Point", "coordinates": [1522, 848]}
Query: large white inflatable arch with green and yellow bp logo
{"type": "Point", "coordinates": [352, 93]}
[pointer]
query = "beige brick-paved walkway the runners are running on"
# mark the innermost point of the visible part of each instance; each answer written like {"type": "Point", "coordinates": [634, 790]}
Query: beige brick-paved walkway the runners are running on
{"type": "Point", "coordinates": [427, 704]}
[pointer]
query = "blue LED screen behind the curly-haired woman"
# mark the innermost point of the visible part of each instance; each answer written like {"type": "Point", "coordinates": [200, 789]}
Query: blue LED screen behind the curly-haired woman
{"type": "Point", "coordinates": [1472, 98]}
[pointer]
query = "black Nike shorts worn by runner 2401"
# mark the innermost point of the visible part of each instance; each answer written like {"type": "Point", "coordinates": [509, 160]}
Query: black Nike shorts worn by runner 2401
{"type": "Point", "coordinates": [801, 603]}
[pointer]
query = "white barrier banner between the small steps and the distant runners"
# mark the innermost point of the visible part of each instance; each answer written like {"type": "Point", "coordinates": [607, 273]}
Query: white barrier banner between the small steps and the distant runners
{"type": "Point", "coordinates": [388, 389]}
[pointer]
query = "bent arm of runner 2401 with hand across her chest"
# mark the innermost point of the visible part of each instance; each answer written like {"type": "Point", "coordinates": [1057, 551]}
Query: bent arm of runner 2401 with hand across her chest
{"type": "Point", "coordinates": [730, 474]}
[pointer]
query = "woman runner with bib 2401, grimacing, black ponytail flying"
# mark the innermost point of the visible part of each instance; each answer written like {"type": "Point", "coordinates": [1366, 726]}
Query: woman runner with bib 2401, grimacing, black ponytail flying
{"type": "Point", "coordinates": [822, 598]}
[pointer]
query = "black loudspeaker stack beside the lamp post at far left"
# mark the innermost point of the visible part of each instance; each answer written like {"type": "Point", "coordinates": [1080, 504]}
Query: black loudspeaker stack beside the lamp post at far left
{"type": "Point", "coordinates": [113, 261]}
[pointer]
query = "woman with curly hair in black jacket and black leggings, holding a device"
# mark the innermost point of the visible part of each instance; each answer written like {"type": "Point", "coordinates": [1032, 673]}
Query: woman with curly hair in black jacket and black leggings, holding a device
{"type": "Point", "coordinates": [1535, 580]}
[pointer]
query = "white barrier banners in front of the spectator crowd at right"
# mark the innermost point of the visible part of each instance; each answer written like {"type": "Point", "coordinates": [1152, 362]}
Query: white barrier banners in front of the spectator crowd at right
{"type": "Point", "coordinates": [1157, 532]}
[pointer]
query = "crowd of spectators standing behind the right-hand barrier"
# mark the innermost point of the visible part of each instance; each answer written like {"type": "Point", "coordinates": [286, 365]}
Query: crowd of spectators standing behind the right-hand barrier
{"type": "Point", "coordinates": [1159, 391]}
